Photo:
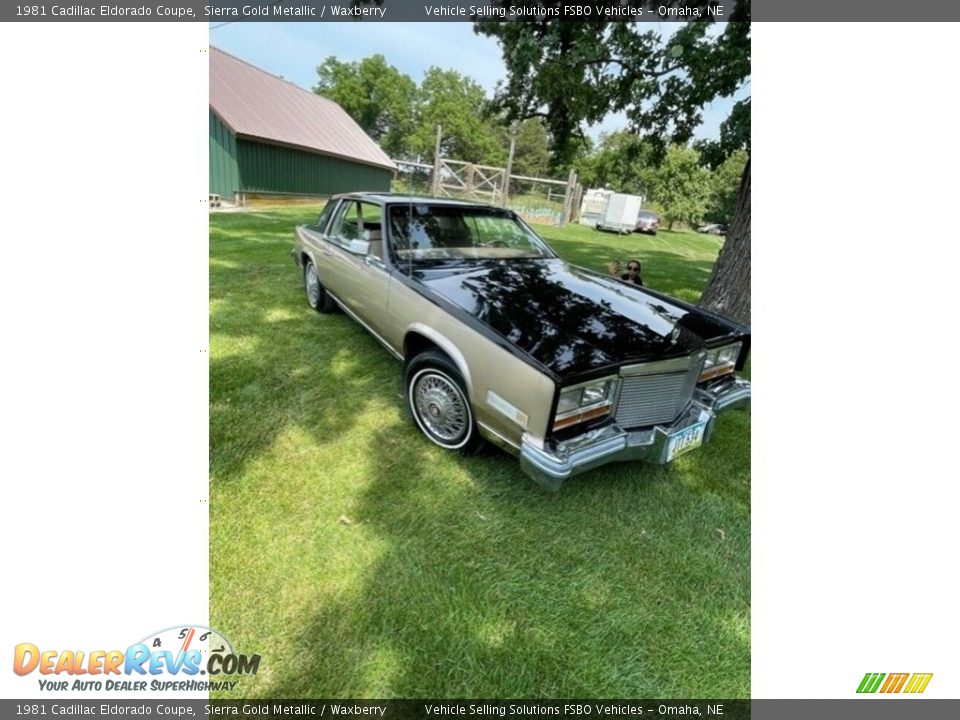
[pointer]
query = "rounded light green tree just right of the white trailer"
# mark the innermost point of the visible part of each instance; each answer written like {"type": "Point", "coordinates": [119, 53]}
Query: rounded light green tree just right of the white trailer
{"type": "Point", "coordinates": [682, 186]}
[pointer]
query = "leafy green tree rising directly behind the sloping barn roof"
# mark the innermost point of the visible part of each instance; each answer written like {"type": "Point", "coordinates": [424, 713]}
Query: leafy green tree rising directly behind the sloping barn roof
{"type": "Point", "coordinates": [379, 97]}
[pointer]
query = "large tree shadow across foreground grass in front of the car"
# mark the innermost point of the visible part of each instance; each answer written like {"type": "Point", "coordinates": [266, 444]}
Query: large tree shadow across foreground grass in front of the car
{"type": "Point", "coordinates": [488, 587]}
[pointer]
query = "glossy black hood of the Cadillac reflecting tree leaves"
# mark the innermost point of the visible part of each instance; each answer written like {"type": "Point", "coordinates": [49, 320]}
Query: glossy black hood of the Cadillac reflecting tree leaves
{"type": "Point", "coordinates": [571, 320]}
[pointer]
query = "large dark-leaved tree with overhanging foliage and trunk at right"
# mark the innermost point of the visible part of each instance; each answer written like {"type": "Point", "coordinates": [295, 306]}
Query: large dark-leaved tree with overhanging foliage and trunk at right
{"type": "Point", "coordinates": [577, 72]}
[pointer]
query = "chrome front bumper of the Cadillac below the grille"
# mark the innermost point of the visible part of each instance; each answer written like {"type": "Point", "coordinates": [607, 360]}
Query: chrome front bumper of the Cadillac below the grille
{"type": "Point", "coordinates": [611, 443]}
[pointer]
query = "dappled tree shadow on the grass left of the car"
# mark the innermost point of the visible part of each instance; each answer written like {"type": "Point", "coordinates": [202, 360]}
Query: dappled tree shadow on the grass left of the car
{"type": "Point", "coordinates": [290, 366]}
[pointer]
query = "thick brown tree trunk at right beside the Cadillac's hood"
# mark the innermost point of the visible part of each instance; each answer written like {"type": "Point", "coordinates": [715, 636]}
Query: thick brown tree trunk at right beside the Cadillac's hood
{"type": "Point", "coordinates": [728, 291]}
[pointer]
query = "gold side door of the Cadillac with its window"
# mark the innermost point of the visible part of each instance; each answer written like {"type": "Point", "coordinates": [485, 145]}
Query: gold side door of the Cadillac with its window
{"type": "Point", "coordinates": [360, 281]}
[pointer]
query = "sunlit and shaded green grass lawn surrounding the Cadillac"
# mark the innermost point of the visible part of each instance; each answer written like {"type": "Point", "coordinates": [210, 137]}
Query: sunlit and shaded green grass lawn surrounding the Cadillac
{"type": "Point", "coordinates": [360, 560]}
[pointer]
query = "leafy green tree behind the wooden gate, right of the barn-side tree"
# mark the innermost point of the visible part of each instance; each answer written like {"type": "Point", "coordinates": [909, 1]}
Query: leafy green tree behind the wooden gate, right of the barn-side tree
{"type": "Point", "coordinates": [459, 105]}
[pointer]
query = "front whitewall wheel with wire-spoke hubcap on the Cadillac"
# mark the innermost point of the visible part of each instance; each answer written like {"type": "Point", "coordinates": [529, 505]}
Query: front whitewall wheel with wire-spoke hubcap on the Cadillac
{"type": "Point", "coordinates": [437, 399]}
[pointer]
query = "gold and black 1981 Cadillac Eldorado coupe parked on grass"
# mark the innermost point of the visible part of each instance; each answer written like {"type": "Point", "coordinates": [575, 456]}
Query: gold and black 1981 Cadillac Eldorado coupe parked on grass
{"type": "Point", "coordinates": [501, 339]}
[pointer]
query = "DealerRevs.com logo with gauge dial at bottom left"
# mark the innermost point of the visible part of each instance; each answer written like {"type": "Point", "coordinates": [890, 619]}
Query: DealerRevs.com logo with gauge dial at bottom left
{"type": "Point", "coordinates": [172, 659]}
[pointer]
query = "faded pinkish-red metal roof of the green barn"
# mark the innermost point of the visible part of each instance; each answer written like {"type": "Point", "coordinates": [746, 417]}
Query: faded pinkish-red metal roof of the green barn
{"type": "Point", "coordinates": [255, 104]}
